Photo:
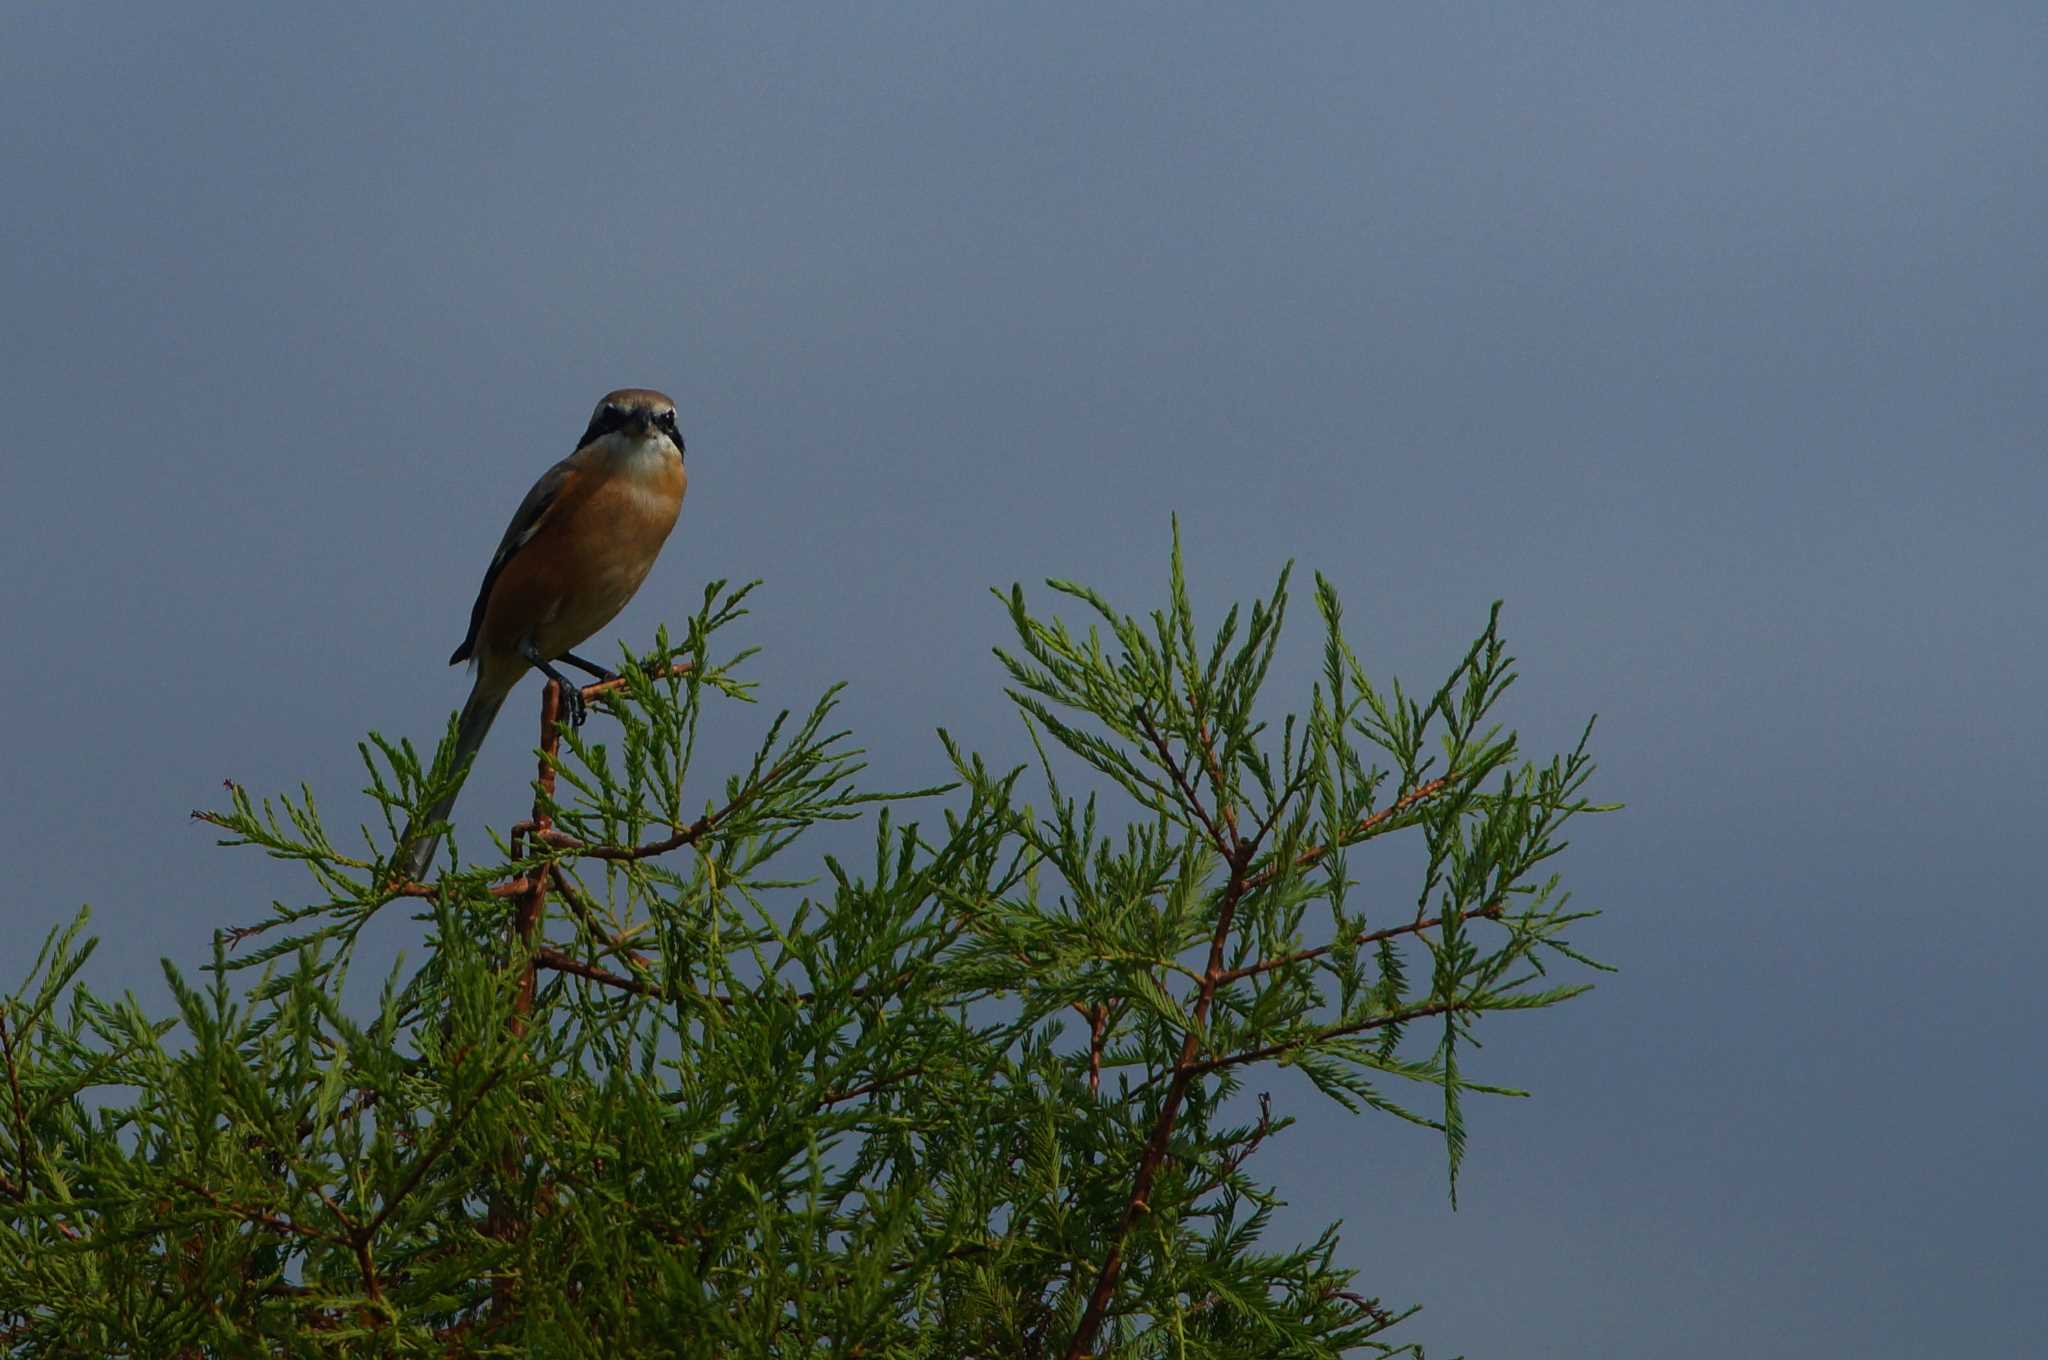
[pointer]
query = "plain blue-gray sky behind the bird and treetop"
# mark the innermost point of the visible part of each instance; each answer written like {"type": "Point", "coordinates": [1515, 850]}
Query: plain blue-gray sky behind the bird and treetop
{"type": "Point", "coordinates": [1711, 337]}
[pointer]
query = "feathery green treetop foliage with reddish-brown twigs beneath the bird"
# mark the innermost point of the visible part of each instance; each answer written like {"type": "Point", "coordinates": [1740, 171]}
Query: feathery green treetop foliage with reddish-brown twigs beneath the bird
{"type": "Point", "coordinates": [660, 1091]}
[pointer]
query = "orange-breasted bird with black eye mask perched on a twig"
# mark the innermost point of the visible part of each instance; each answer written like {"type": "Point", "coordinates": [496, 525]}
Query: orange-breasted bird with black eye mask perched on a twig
{"type": "Point", "coordinates": [574, 554]}
